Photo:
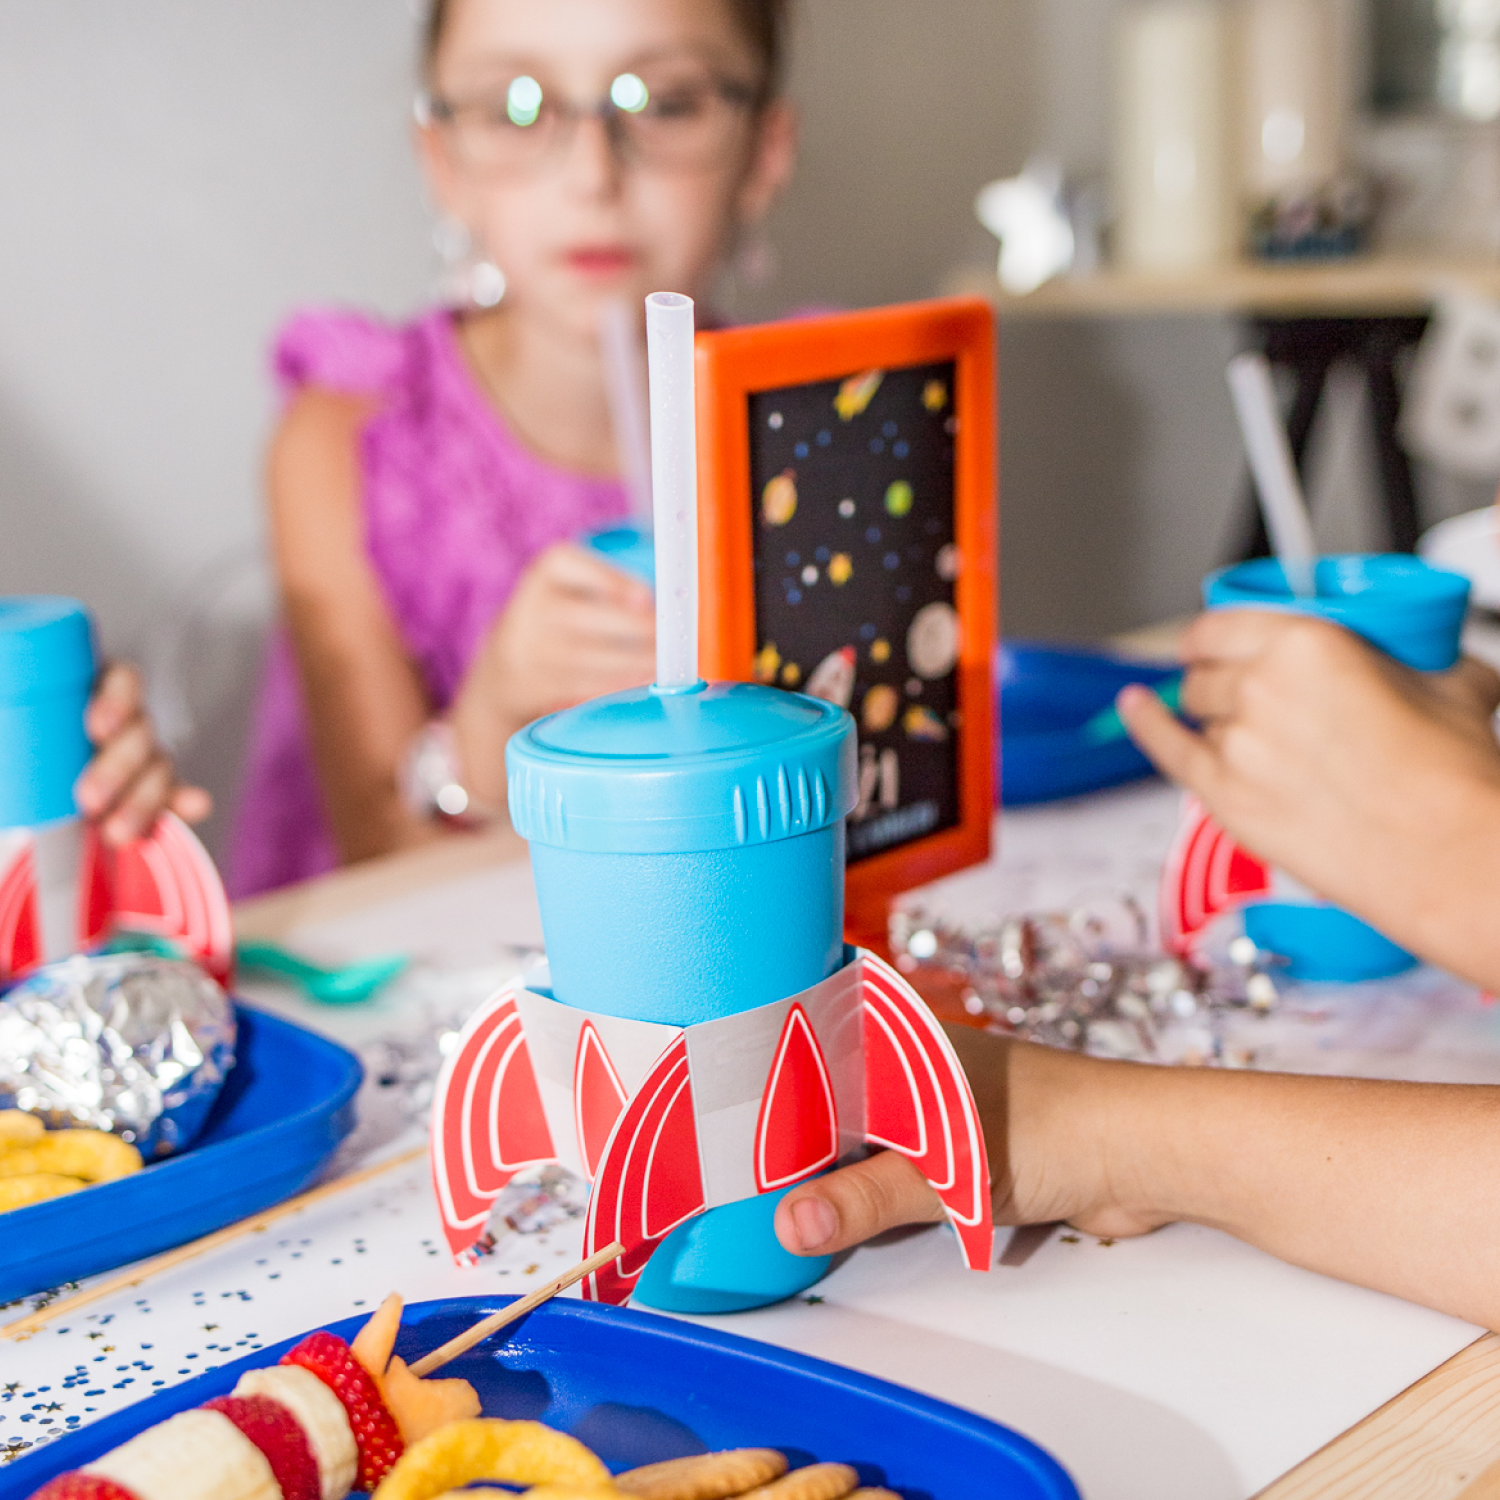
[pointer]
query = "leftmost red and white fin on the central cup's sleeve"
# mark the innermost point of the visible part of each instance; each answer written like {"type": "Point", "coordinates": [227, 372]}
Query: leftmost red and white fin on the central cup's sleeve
{"type": "Point", "coordinates": [487, 1121]}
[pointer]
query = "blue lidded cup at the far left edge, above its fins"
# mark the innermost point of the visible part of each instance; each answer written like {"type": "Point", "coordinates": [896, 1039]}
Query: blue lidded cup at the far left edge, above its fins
{"type": "Point", "coordinates": [47, 670]}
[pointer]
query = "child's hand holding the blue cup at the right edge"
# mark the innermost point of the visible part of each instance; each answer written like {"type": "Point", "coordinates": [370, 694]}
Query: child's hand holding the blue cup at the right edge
{"type": "Point", "coordinates": [1376, 787]}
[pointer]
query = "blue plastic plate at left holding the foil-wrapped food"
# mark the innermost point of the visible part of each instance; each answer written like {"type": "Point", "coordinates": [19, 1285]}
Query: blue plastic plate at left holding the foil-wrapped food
{"type": "Point", "coordinates": [281, 1115]}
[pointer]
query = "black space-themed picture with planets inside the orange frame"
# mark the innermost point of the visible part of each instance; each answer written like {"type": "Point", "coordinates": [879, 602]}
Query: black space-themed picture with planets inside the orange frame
{"type": "Point", "coordinates": [856, 563]}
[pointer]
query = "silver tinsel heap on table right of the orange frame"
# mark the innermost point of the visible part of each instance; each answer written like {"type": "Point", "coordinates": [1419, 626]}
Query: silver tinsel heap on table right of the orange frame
{"type": "Point", "coordinates": [1091, 980]}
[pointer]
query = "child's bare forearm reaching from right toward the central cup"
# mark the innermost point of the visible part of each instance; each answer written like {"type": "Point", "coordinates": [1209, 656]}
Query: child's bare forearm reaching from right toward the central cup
{"type": "Point", "coordinates": [1391, 1186]}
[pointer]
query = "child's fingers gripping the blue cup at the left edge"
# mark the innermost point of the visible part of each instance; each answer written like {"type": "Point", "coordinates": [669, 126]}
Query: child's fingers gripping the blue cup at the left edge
{"type": "Point", "coordinates": [131, 781]}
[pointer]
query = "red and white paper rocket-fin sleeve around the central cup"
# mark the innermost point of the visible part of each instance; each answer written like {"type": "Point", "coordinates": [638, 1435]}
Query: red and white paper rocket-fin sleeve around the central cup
{"type": "Point", "coordinates": [670, 1121]}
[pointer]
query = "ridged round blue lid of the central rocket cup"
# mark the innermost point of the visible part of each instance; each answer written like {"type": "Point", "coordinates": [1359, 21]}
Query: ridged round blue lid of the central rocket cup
{"type": "Point", "coordinates": [718, 767]}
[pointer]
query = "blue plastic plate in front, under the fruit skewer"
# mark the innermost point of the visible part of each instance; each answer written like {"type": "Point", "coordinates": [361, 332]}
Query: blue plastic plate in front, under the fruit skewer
{"type": "Point", "coordinates": [640, 1388]}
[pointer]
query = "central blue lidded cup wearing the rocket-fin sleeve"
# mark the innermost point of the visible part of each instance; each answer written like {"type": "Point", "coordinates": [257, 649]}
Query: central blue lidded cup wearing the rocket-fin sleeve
{"type": "Point", "coordinates": [689, 856]}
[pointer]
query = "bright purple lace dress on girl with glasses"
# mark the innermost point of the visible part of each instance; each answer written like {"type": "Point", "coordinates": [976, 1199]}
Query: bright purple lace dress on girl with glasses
{"type": "Point", "coordinates": [455, 509]}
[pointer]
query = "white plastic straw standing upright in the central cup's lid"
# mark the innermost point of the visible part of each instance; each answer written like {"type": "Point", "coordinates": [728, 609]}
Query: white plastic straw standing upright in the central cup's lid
{"type": "Point", "coordinates": [674, 485]}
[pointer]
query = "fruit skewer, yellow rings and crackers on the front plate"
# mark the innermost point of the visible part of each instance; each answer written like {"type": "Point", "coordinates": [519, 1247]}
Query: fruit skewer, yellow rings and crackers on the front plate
{"type": "Point", "coordinates": [337, 1418]}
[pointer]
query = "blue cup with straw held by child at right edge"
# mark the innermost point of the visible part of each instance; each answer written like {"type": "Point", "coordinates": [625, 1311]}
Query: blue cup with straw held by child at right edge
{"type": "Point", "coordinates": [1411, 611]}
